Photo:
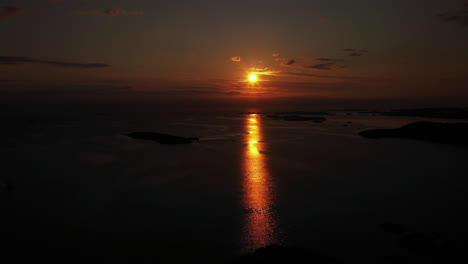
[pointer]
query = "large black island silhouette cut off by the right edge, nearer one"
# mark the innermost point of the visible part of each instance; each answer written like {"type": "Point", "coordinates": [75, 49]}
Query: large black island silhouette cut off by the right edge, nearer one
{"type": "Point", "coordinates": [446, 133]}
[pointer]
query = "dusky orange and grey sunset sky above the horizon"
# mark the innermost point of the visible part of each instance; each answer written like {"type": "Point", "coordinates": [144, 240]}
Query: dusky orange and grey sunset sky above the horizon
{"type": "Point", "coordinates": [208, 48]}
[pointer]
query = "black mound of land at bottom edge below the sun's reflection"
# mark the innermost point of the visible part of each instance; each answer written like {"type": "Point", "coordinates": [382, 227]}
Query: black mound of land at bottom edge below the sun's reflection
{"type": "Point", "coordinates": [279, 254]}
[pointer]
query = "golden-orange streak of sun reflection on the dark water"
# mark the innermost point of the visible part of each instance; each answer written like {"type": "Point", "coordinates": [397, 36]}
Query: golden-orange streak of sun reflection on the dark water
{"type": "Point", "coordinates": [260, 225]}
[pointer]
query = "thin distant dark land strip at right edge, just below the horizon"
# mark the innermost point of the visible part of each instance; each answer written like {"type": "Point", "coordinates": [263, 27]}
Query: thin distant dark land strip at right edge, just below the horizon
{"type": "Point", "coordinates": [446, 113]}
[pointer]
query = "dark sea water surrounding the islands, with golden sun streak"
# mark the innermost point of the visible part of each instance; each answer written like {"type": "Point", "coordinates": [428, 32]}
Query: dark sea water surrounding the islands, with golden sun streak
{"type": "Point", "coordinates": [77, 183]}
